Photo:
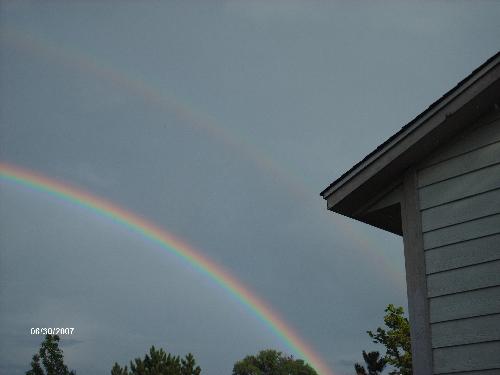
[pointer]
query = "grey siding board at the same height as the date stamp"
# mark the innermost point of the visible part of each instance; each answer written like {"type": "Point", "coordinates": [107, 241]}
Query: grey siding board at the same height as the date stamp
{"type": "Point", "coordinates": [466, 331]}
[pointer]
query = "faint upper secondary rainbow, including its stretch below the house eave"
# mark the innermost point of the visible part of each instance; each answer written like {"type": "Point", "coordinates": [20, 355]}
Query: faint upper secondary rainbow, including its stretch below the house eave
{"type": "Point", "coordinates": [75, 59]}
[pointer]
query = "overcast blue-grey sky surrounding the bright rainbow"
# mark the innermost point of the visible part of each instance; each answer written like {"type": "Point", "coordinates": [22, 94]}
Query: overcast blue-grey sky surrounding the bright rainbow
{"type": "Point", "coordinates": [220, 121]}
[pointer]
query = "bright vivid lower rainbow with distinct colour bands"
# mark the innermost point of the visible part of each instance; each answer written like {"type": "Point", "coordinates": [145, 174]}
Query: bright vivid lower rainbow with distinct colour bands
{"type": "Point", "coordinates": [20, 176]}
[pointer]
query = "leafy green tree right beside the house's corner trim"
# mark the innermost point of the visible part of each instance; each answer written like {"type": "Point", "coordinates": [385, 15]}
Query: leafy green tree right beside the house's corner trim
{"type": "Point", "coordinates": [396, 339]}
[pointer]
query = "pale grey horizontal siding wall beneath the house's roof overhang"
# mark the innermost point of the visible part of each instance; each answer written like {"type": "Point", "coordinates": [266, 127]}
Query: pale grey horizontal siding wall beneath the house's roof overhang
{"type": "Point", "coordinates": [459, 195]}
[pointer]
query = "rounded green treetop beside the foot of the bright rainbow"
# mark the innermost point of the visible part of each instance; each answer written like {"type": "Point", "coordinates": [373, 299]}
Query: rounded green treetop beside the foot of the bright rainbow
{"type": "Point", "coordinates": [272, 362]}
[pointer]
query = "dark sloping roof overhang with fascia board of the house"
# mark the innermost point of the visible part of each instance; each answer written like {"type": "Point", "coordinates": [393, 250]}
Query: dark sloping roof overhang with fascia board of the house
{"type": "Point", "coordinates": [471, 98]}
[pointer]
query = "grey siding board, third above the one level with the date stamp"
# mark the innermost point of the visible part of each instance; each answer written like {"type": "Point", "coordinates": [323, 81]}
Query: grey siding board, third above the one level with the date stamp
{"type": "Point", "coordinates": [463, 254]}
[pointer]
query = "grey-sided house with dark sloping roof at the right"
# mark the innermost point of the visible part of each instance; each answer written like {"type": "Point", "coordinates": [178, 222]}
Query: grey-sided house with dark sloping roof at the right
{"type": "Point", "coordinates": [436, 183]}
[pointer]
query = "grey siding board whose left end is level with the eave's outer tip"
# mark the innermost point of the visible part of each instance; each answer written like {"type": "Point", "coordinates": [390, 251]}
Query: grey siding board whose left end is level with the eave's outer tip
{"type": "Point", "coordinates": [476, 182]}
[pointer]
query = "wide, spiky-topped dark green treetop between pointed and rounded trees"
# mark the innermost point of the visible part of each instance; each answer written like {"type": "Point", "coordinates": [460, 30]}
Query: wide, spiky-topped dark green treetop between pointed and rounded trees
{"type": "Point", "coordinates": [159, 362]}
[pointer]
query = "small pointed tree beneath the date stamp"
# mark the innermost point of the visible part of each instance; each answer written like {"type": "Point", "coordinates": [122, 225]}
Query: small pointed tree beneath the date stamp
{"type": "Point", "coordinates": [52, 359]}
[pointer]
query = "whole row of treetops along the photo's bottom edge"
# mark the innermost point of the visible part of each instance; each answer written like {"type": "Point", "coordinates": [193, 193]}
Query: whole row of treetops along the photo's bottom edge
{"type": "Point", "coordinates": [395, 337]}
